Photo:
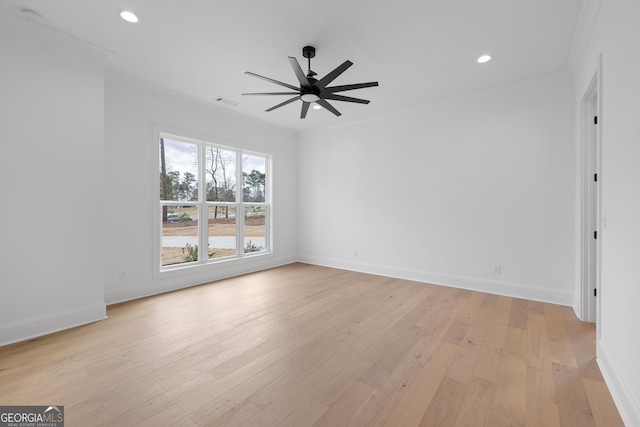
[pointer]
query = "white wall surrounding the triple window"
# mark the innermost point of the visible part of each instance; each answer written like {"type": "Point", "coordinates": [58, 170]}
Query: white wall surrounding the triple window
{"type": "Point", "coordinates": [132, 110]}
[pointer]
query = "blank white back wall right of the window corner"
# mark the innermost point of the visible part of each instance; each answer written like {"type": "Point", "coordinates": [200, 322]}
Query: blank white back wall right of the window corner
{"type": "Point", "coordinates": [443, 193]}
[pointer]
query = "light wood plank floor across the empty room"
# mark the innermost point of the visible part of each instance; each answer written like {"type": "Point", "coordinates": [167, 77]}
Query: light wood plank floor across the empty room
{"type": "Point", "coordinates": [304, 345]}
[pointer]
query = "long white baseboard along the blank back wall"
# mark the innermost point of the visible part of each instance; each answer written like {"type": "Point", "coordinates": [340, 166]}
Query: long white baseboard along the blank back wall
{"type": "Point", "coordinates": [516, 290]}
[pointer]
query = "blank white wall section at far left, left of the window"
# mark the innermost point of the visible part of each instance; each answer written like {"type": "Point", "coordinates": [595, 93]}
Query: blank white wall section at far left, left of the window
{"type": "Point", "coordinates": [51, 128]}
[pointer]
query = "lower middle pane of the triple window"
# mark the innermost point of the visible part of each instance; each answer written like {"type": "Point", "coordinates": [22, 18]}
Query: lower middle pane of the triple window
{"type": "Point", "coordinates": [222, 231]}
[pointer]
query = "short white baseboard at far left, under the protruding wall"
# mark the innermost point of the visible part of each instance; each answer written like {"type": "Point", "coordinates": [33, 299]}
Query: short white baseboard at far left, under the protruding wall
{"type": "Point", "coordinates": [35, 327]}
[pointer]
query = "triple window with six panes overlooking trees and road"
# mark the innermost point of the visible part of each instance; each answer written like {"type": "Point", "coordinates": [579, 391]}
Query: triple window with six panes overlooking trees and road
{"type": "Point", "coordinates": [213, 202]}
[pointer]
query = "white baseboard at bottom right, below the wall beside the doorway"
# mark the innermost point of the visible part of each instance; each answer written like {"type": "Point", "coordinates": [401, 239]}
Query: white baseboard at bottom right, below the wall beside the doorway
{"type": "Point", "coordinates": [627, 406]}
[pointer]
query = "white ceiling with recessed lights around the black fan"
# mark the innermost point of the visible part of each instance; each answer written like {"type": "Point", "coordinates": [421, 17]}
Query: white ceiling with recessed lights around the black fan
{"type": "Point", "coordinates": [418, 50]}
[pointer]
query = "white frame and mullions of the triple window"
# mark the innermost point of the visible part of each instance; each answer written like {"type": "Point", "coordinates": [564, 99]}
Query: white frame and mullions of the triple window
{"type": "Point", "coordinates": [203, 205]}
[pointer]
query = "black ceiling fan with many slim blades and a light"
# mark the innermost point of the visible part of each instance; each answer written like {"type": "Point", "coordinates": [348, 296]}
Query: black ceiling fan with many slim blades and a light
{"type": "Point", "coordinates": [313, 90]}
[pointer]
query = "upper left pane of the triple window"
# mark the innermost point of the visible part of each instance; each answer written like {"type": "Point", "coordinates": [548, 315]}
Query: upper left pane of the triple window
{"type": "Point", "coordinates": [178, 170]}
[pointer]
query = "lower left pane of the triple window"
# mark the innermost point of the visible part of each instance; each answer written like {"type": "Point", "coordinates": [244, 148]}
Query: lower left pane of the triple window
{"type": "Point", "coordinates": [179, 234]}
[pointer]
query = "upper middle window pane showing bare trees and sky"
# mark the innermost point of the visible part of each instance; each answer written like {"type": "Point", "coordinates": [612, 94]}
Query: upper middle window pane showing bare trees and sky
{"type": "Point", "coordinates": [220, 170]}
